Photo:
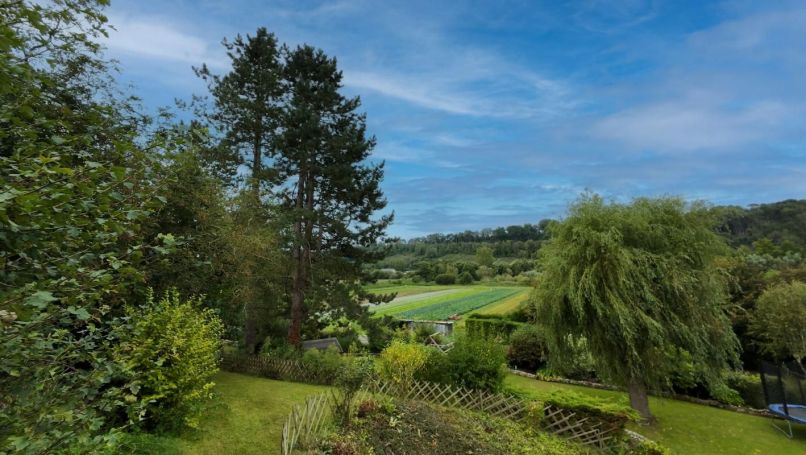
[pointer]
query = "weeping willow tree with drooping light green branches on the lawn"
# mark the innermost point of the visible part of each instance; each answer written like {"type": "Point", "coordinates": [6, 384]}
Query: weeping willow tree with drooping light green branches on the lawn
{"type": "Point", "coordinates": [637, 284]}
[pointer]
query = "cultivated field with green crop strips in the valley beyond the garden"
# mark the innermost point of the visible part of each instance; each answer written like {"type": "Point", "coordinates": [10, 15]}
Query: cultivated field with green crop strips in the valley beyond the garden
{"type": "Point", "coordinates": [441, 302]}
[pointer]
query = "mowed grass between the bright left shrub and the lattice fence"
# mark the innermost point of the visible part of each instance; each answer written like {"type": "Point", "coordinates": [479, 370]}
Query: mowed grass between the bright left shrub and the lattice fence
{"type": "Point", "coordinates": [247, 418]}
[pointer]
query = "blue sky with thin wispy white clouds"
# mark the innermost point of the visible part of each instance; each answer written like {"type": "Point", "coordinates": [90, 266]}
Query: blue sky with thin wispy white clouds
{"type": "Point", "coordinates": [501, 112]}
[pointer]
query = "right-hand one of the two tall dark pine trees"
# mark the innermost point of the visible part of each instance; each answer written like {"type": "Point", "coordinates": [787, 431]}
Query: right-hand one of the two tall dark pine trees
{"type": "Point", "coordinates": [329, 192]}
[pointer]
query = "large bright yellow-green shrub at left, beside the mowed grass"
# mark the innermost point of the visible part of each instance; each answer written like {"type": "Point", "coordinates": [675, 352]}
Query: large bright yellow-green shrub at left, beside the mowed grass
{"type": "Point", "coordinates": [169, 353]}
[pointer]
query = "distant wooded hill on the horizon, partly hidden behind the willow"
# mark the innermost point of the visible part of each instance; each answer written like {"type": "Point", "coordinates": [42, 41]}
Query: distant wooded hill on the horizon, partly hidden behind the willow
{"type": "Point", "coordinates": [782, 223]}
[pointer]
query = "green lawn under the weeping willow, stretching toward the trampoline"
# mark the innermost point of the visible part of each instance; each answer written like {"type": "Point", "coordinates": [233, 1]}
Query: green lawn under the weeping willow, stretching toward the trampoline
{"type": "Point", "coordinates": [689, 428]}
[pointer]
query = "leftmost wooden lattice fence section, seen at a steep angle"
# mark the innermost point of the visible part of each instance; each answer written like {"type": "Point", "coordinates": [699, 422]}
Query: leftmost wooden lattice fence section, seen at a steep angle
{"type": "Point", "coordinates": [303, 425]}
